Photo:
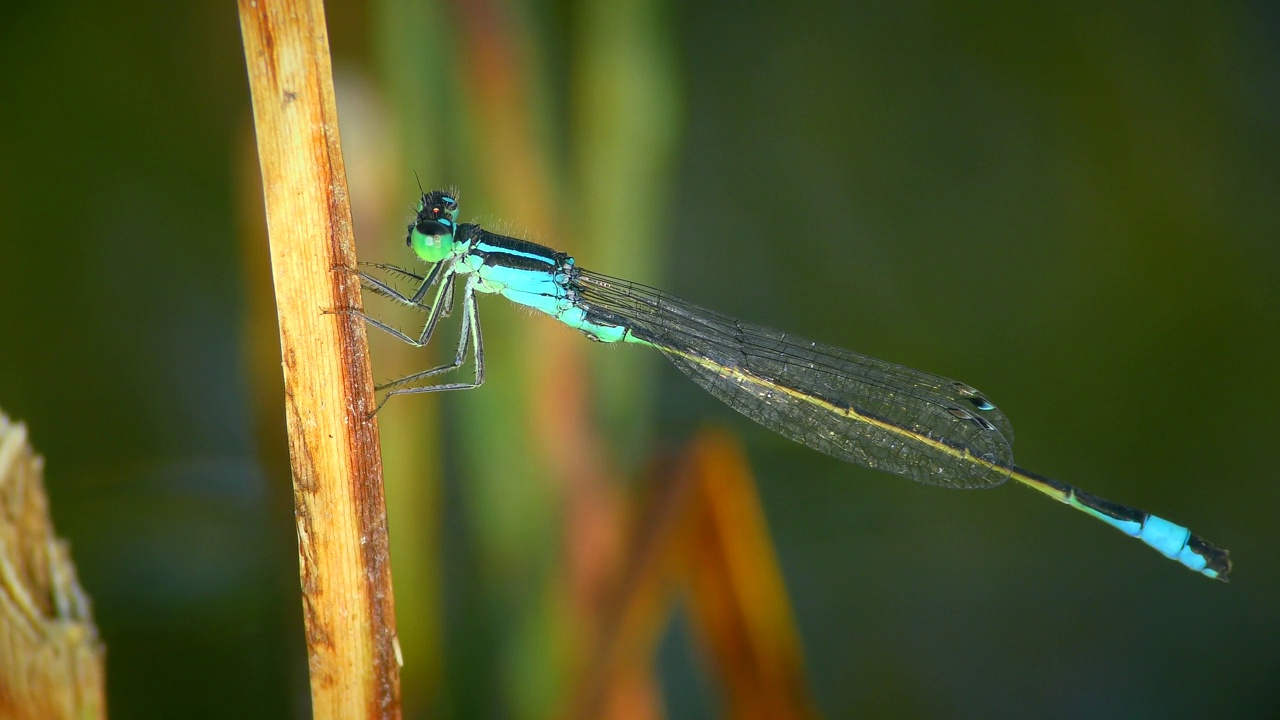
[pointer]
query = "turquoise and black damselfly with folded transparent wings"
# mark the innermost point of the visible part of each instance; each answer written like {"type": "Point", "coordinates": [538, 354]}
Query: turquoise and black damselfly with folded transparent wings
{"type": "Point", "coordinates": [860, 409]}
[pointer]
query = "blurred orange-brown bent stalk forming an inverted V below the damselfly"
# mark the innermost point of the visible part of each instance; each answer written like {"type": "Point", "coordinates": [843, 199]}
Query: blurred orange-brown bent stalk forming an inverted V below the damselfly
{"type": "Point", "coordinates": [702, 536]}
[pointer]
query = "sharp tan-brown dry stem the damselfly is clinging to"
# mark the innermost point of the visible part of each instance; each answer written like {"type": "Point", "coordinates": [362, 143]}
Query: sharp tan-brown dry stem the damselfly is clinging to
{"type": "Point", "coordinates": [333, 444]}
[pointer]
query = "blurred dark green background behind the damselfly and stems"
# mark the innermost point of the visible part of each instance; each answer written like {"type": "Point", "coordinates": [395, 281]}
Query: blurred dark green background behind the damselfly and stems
{"type": "Point", "coordinates": [1072, 209]}
